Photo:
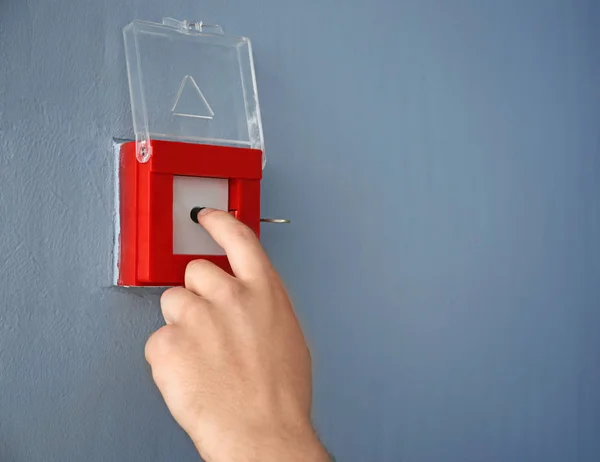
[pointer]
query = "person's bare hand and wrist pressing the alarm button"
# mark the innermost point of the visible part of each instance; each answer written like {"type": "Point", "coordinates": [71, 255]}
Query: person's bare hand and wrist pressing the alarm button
{"type": "Point", "coordinates": [231, 362]}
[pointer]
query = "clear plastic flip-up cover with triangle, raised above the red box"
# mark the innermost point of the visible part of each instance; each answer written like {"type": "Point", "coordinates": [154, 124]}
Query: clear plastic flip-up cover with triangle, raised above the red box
{"type": "Point", "coordinates": [190, 82]}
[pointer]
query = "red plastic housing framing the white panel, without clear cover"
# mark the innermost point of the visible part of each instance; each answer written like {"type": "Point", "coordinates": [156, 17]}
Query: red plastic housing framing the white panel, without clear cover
{"type": "Point", "coordinates": [146, 205]}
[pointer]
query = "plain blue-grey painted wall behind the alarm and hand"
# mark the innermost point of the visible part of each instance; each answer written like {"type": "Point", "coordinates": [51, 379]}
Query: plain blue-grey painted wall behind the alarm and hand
{"type": "Point", "coordinates": [439, 161]}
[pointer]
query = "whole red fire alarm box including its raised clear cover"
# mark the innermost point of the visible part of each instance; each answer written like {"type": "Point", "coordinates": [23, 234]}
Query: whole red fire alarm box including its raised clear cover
{"type": "Point", "coordinates": [198, 143]}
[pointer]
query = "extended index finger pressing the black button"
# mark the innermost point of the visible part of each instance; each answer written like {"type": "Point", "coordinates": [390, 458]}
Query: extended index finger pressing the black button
{"type": "Point", "coordinates": [246, 256]}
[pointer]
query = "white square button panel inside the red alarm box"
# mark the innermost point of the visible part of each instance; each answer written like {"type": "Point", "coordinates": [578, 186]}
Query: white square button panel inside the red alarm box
{"type": "Point", "coordinates": [190, 238]}
